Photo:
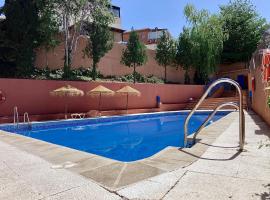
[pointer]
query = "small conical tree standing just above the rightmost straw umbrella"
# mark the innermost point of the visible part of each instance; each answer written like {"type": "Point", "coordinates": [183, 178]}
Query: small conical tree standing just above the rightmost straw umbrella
{"type": "Point", "coordinates": [135, 53]}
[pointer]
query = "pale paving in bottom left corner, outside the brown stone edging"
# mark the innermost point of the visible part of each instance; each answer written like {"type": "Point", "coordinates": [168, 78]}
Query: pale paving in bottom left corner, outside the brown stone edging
{"type": "Point", "coordinates": [33, 178]}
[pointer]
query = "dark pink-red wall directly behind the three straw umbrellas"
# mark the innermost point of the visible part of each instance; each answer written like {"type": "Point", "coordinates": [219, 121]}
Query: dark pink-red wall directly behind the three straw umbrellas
{"type": "Point", "coordinates": [32, 96]}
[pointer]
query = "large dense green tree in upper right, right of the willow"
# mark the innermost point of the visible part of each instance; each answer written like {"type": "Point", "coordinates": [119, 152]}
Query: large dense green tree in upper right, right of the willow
{"type": "Point", "coordinates": [244, 27]}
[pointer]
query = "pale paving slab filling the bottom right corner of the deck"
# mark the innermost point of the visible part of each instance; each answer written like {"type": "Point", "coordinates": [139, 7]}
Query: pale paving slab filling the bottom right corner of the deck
{"type": "Point", "coordinates": [207, 186]}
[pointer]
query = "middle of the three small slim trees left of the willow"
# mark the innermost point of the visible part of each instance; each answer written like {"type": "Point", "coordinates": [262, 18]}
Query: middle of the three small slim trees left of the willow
{"type": "Point", "coordinates": [165, 52]}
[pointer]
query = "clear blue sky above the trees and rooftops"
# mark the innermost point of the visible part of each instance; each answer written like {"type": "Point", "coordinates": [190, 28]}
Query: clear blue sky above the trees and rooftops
{"type": "Point", "coordinates": [169, 13]}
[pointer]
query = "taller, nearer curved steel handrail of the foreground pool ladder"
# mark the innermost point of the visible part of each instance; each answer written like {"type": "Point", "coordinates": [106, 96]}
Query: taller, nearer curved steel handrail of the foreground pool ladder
{"type": "Point", "coordinates": [241, 113]}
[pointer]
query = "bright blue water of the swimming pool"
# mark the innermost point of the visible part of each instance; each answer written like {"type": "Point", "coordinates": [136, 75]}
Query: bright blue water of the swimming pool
{"type": "Point", "coordinates": [126, 138]}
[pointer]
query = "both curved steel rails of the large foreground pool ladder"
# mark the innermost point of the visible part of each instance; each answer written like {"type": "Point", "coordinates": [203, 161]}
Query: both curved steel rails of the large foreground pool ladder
{"type": "Point", "coordinates": [238, 106]}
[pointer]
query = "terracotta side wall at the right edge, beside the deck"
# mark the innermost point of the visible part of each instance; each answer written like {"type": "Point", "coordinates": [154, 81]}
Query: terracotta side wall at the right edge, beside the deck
{"type": "Point", "coordinates": [259, 100]}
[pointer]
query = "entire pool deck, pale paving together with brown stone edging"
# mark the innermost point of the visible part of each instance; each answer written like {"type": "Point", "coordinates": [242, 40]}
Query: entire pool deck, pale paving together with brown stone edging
{"type": "Point", "coordinates": [212, 169]}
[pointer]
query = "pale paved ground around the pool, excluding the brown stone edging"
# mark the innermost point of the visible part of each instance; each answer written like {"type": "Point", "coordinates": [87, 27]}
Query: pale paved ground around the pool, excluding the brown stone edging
{"type": "Point", "coordinates": [220, 173]}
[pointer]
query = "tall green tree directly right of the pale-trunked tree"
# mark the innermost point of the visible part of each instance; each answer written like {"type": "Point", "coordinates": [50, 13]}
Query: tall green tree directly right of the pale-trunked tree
{"type": "Point", "coordinates": [100, 37]}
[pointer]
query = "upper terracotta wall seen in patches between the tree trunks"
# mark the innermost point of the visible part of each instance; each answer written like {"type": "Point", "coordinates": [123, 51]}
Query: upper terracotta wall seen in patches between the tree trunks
{"type": "Point", "coordinates": [109, 64]}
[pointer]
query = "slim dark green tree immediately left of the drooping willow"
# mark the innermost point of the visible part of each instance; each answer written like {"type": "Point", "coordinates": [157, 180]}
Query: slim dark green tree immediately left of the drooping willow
{"type": "Point", "coordinates": [183, 53]}
